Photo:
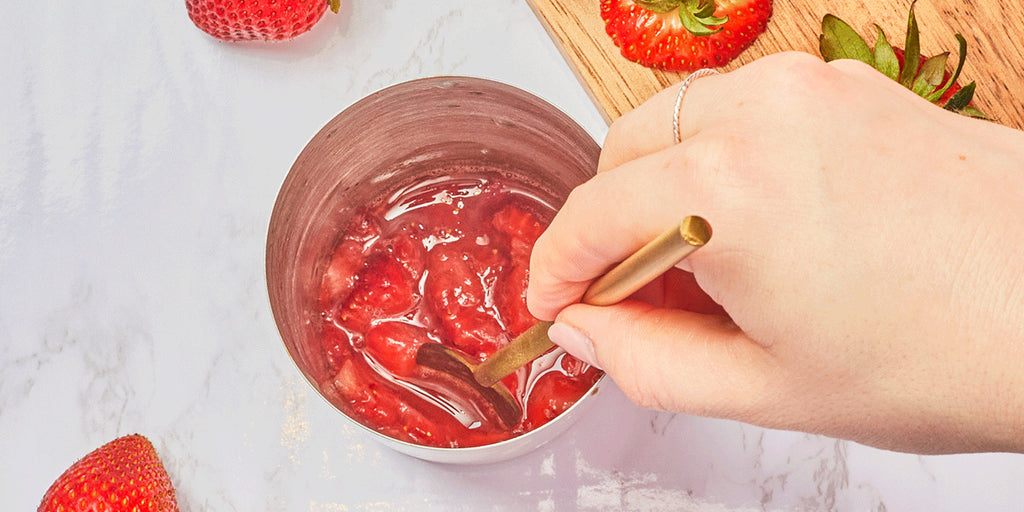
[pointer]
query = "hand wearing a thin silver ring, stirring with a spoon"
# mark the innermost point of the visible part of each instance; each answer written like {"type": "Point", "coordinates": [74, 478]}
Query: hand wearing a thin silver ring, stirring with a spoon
{"type": "Point", "coordinates": [868, 257]}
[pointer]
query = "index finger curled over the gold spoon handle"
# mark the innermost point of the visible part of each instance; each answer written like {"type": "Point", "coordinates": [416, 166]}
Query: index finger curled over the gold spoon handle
{"type": "Point", "coordinates": [610, 218]}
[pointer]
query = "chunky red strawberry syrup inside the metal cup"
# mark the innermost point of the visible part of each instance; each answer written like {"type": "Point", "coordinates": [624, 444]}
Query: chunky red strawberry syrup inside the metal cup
{"type": "Point", "coordinates": [445, 261]}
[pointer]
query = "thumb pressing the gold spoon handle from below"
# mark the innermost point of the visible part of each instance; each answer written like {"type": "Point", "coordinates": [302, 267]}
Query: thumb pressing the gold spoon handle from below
{"type": "Point", "coordinates": [671, 360]}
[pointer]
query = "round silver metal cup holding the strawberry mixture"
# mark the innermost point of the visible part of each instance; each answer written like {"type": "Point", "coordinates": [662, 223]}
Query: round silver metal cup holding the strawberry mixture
{"type": "Point", "coordinates": [383, 142]}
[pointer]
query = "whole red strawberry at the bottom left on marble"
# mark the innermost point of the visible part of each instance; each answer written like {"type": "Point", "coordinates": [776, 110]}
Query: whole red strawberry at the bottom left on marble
{"type": "Point", "coordinates": [124, 475]}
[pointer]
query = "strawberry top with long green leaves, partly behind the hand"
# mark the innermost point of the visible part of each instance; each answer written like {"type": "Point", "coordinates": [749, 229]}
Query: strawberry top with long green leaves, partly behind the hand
{"type": "Point", "coordinates": [929, 78]}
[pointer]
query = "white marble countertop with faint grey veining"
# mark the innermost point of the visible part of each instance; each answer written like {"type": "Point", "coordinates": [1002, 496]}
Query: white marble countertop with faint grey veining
{"type": "Point", "coordinates": [140, 161]}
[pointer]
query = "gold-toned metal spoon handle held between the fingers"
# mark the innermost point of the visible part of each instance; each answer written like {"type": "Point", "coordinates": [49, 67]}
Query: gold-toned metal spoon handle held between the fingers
{"type": "Point", "coordinates": [631, 275]}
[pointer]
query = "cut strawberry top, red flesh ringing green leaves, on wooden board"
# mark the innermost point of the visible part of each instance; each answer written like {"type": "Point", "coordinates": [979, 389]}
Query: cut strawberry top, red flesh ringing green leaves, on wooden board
{"type": "Point", "coordinates": [685, 35]}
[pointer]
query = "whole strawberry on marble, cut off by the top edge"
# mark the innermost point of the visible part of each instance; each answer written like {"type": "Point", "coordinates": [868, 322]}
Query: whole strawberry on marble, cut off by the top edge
{"type": "Point", "coordinates": [258, 20]}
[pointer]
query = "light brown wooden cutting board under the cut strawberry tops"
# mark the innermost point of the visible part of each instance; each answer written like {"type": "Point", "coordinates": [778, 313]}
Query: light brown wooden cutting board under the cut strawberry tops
{"type": "Point", "coordinates": [993, 29]}
